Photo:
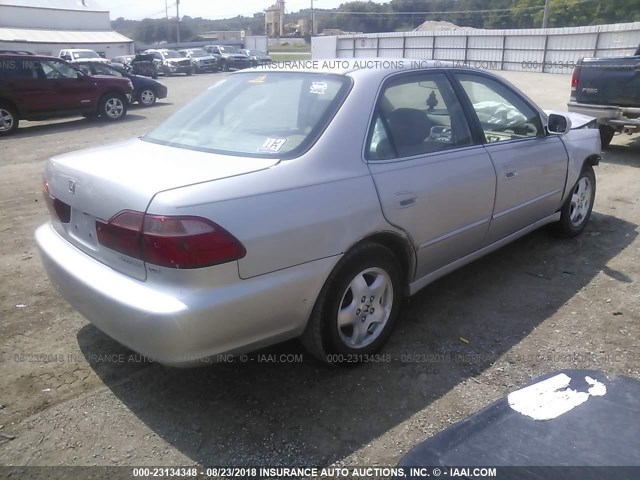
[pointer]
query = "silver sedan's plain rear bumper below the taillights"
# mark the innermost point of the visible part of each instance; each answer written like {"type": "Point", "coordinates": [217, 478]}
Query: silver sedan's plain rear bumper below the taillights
{"type": "Point", "coordinates": [179, 325]}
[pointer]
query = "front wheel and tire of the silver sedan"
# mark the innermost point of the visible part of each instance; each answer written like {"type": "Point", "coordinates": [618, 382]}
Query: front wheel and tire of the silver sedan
{"type": "Point", "coordinates": [576, 211]}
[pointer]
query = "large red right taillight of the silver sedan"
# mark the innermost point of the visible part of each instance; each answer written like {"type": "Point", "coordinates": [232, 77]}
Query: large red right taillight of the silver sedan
{"type": "Point", "coordinates": [168, 241]}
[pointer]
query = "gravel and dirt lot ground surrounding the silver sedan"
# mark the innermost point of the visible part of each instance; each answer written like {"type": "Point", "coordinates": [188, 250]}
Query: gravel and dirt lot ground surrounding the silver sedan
{"type": "Point", "coordinates": [69, 395]}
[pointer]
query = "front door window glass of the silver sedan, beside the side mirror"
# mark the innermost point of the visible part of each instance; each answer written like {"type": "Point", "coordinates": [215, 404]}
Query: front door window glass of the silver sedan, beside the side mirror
{"type": "Point", "coordinates": [503, 114]}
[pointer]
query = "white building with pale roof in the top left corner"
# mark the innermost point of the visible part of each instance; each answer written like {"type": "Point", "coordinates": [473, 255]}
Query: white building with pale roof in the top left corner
{"type": "Point", "coordinates": [47, 26]}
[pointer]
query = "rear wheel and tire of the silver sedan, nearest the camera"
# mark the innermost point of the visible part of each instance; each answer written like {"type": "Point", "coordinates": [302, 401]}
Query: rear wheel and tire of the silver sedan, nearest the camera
{"type": "Point", "coordinates": [330, 336]}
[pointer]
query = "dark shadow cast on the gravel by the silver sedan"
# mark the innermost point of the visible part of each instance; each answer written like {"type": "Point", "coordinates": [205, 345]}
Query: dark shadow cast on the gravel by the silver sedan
{"type": "Point", "coordinates": [274, 409]}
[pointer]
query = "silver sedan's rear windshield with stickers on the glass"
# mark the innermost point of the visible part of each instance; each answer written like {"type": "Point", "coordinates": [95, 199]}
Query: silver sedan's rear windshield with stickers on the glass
{"type": "Point", "coordinates": [260, 115]}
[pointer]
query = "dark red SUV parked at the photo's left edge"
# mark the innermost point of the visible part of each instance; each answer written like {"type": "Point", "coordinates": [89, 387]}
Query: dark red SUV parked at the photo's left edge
{"type": "Point", "coordinates": [34, 87]}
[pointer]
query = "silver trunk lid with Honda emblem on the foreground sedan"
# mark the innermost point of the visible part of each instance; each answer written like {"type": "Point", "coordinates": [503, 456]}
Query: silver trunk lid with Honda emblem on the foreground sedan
{"type": "Point", "coordinates": [98, 183]}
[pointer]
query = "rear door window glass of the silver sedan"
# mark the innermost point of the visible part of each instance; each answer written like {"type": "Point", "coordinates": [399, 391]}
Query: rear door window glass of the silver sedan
{"type": "Point", "coordinates": [416, 115]}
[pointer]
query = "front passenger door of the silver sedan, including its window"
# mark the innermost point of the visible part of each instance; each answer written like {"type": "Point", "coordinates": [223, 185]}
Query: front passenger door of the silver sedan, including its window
{"type": "Point", "coordinates": [531, 166]}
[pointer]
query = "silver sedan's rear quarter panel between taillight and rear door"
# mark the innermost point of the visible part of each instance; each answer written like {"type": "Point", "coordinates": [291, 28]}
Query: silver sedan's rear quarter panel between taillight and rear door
{"type": "Point", "coordinates": [300, 210]}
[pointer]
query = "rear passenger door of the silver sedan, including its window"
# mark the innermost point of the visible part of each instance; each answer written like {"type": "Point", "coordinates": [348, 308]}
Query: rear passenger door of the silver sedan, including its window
{"type": "Point", "coordinates": [433, 182]}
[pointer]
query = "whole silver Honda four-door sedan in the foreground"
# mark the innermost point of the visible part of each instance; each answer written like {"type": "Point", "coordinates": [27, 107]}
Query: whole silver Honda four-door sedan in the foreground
{"type": "Point", "coordinates": [306, 203]}
